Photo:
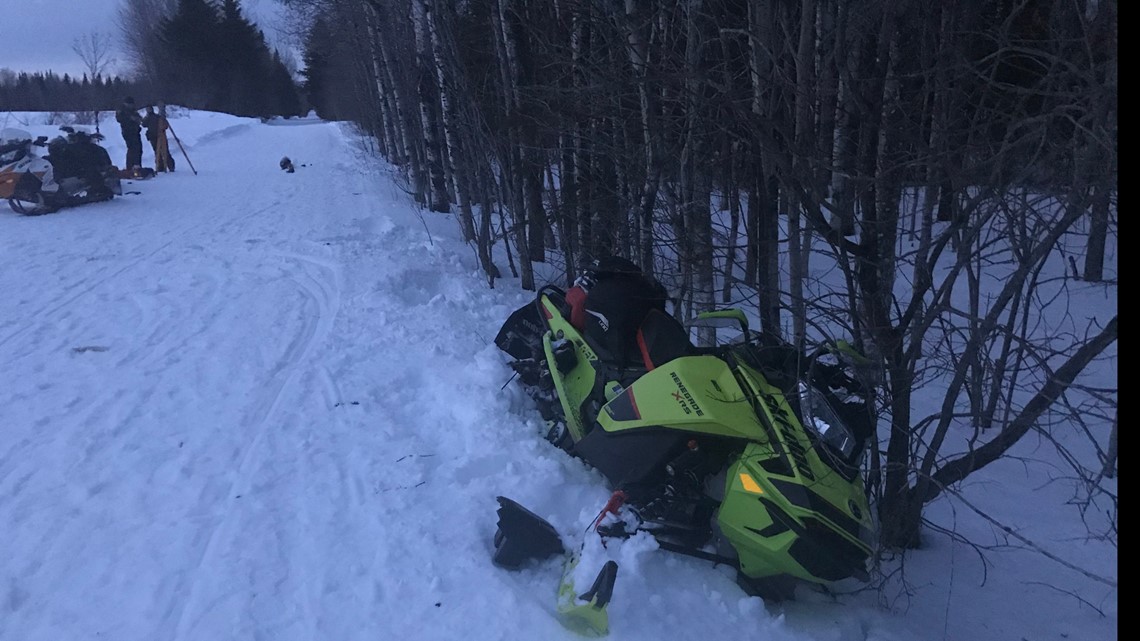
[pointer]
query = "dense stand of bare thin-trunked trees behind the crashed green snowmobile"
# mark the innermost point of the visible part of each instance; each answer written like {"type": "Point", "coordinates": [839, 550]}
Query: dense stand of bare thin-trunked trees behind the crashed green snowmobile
{"type": "Point", "coordinates": [729, 147]}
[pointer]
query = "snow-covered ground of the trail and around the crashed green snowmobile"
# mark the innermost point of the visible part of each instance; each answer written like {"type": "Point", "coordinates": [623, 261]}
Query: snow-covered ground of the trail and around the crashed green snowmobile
{"type": "Point", "coordinates": [249, 404]}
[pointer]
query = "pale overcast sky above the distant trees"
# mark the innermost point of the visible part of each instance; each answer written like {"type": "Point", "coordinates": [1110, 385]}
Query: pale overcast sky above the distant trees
{"type": "Point", "coordinates": [38, 35]}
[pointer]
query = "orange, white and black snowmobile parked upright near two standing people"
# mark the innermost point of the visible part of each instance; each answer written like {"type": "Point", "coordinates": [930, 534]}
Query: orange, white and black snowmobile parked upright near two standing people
{"type": "Point", "coordinates": [76, 171]}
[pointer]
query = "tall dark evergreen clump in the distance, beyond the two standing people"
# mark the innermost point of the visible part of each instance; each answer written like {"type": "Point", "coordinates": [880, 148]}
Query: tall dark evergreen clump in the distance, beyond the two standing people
{"type": "Point", "coordinates": [207, 55]}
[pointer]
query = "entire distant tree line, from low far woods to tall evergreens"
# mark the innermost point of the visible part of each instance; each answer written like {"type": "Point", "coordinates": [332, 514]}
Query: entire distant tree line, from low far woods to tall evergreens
{"type": "Point", "coordinates": [200, 54]}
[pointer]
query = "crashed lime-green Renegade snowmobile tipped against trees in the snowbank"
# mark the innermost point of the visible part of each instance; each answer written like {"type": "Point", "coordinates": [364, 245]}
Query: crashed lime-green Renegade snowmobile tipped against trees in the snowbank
{"type": "Point", "coordinates": [750, 453]}
